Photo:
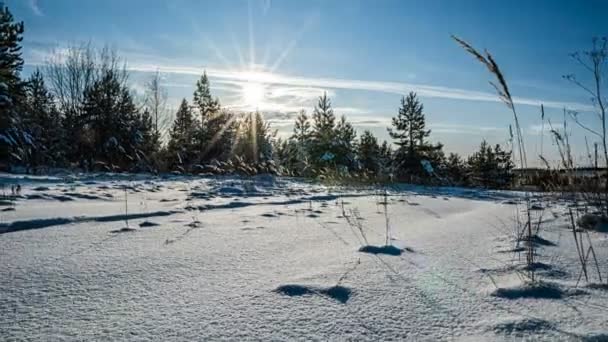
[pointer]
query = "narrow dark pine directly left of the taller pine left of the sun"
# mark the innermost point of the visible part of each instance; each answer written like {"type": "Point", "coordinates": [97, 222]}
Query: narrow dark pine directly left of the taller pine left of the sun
{"type": "Point", "coordinates": [182, 139]}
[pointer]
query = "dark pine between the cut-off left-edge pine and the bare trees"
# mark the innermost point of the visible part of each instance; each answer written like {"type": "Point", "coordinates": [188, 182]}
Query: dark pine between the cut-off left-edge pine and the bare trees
{"type": "Point", "coordinates": [43, 123]}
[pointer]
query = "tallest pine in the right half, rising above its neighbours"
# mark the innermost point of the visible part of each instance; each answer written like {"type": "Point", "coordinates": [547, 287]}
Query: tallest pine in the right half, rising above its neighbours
{"type": "Point", "coordinates": [410, 133]}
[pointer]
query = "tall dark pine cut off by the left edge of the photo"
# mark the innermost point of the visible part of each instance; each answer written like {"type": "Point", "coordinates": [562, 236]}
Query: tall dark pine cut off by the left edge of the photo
{"type": "Point", "coordinates": [12, 137]}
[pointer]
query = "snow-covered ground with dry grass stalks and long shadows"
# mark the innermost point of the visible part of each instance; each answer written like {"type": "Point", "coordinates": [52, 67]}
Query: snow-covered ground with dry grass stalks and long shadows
{"type": "Point", "coordinates": [275, 259]}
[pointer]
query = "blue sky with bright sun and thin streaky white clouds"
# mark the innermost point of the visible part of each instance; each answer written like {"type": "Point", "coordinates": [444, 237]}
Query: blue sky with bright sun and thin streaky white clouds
{"type": "Point", "coordinates": [279, 56]}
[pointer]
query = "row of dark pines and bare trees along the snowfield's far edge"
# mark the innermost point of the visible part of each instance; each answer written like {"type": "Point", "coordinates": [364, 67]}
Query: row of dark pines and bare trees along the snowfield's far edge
{"type": "Point", "coordinates": [78, 112]}
